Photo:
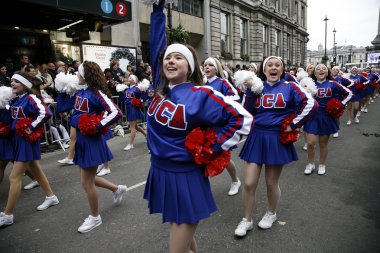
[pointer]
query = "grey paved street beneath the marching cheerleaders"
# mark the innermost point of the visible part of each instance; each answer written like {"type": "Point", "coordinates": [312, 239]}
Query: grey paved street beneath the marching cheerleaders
{"type": "Point", "coordinates": [337, 212]}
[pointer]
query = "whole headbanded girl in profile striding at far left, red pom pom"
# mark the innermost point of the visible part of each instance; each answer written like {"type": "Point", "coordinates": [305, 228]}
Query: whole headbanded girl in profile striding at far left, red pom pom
{"type": "Point", "coordinates": [26, 154]}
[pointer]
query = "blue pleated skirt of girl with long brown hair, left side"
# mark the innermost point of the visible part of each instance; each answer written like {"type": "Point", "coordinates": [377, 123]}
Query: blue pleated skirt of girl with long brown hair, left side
{"type": "Point", "coordinates": [91, 150]}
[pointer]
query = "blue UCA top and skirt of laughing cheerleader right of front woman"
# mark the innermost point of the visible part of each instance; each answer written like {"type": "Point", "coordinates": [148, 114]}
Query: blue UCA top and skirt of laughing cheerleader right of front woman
{"type": "Point", "coordinates": [270, 108]}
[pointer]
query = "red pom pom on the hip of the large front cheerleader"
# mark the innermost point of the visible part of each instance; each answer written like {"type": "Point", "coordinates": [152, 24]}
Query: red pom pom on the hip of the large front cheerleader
{"type": "Point", "coordinates": [199, 144]}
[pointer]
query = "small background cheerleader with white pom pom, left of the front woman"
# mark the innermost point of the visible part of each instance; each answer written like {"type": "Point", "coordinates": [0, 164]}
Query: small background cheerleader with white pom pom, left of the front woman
{"type": "Point", "coordinates": [129, 93]}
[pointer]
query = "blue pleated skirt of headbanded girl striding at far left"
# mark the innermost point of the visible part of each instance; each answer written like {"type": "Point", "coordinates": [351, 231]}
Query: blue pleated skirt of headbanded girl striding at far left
{"type": "Point", "coordinates": [25, 151]}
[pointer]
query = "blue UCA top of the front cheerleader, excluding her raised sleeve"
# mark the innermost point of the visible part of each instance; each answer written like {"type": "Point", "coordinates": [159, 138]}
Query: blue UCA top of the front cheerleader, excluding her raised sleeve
{"type": "Point", "coordinates": [187, 107]}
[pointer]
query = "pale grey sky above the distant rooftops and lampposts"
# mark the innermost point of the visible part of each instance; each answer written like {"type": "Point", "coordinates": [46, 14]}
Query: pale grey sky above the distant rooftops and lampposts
{"type": "Point", "coordinates": [356, 22]}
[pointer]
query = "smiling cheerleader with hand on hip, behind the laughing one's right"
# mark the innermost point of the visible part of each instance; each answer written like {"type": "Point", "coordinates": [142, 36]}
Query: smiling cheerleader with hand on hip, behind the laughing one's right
{"type": "Point", "coordinates": [321, 125]}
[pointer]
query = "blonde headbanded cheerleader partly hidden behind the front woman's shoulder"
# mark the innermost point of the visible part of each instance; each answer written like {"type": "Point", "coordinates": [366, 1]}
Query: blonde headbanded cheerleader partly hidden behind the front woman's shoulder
{"type": "Point", "coordinates": [216, 79]}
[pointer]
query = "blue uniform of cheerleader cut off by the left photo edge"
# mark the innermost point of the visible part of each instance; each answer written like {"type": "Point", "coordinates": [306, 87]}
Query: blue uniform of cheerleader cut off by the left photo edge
{"type": "Point", "coordinates": [6, 142]}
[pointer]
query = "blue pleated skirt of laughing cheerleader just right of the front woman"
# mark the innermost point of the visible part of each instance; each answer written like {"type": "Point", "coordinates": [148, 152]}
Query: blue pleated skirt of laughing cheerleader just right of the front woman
{"type": "Point", "coordinates": [263, 146]}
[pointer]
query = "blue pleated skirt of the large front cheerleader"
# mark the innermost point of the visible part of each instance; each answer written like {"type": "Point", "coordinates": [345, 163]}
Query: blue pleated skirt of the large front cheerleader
{"type": "Point", "coordinates": [179, 191]}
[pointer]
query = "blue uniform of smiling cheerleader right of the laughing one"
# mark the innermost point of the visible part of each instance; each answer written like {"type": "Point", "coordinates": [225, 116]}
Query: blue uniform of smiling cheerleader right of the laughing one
{"type": "Point", "coordinates": [321, 123]}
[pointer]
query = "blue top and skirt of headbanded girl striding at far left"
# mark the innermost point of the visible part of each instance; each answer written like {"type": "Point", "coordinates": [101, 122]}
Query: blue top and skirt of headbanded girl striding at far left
{"type": "Point", "coordinates": [27, 106]}
